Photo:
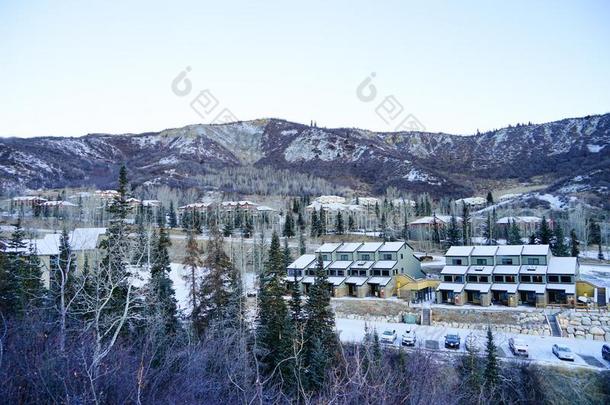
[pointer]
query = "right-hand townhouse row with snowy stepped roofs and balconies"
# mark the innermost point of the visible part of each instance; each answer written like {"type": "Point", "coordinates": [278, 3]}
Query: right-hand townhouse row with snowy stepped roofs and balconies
{"type": "Point", "coordinates": [507, 275]}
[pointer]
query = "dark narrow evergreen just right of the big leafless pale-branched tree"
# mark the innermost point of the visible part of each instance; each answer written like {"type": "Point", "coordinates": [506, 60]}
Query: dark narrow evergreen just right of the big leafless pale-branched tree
{"type": "Point", "coordinates": [160, 297]}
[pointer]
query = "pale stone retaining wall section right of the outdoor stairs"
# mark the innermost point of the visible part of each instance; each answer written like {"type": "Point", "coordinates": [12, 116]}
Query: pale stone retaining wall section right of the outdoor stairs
{"type": "Point", "coordinates": [592, 325]}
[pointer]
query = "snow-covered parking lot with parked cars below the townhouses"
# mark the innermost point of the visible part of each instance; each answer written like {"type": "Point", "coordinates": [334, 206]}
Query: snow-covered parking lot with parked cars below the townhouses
{"type": "Point", "coordinates": [587, 353]}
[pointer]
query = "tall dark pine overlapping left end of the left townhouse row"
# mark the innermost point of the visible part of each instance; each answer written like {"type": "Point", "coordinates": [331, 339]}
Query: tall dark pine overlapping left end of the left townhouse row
{"type": "Point", "coordinates": [320, 339]}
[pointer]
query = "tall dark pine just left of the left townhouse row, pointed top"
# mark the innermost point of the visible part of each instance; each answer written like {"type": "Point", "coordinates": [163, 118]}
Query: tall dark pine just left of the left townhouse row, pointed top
{"type": "Point", "coordinates": [274, 329]}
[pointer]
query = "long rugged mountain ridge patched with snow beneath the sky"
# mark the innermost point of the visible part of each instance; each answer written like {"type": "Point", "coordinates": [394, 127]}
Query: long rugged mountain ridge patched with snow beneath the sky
{"type": "Point", "coordinates": [571, 156]}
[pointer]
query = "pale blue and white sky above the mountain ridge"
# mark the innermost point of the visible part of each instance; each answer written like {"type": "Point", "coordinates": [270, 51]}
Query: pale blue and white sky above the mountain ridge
{"type": "Point", "coordinates": [75, 67]}
